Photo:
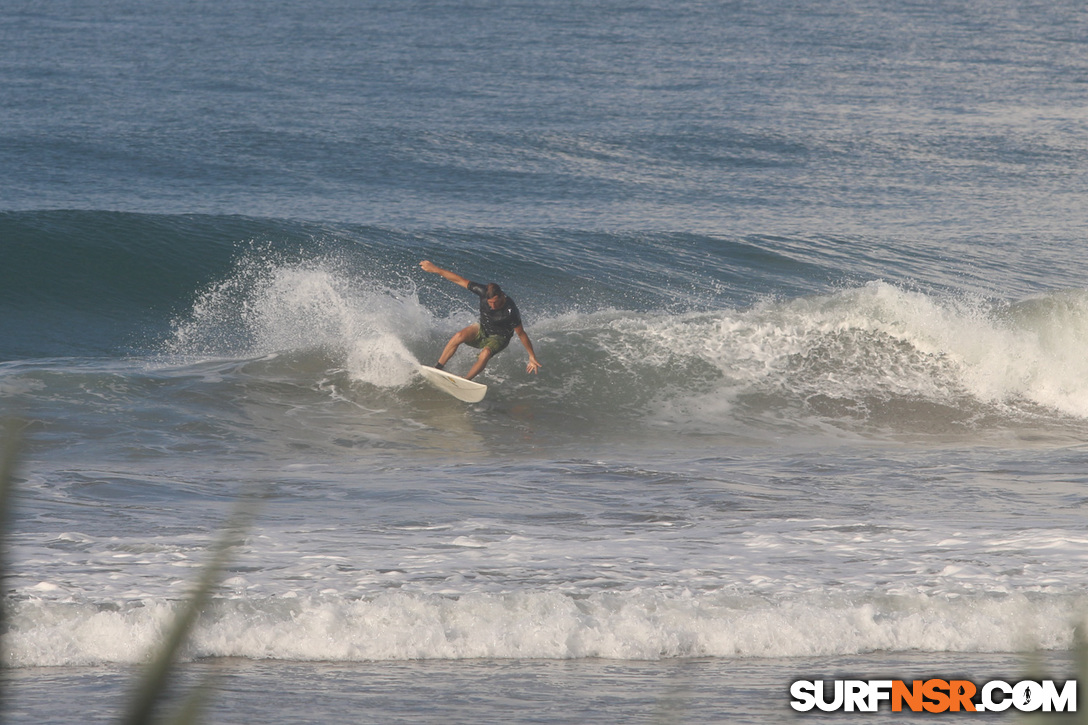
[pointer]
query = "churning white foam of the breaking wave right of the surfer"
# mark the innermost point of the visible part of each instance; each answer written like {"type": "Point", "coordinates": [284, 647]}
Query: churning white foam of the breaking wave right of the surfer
{"type": "Point", "coordinates": [875, 353]}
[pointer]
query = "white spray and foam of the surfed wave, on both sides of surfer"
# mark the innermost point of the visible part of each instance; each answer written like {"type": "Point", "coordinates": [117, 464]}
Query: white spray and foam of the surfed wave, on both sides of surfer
{"type": "Point", "coordinates": [879, 354]}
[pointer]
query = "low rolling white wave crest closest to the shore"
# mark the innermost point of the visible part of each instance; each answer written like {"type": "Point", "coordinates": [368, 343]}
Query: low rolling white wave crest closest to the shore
{"type": "Point", "coordinates": [635, 625]}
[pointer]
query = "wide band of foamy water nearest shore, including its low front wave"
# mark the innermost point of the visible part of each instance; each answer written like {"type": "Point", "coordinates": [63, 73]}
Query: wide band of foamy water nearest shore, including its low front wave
{"type": "Point", "coordinates": [599, 586]}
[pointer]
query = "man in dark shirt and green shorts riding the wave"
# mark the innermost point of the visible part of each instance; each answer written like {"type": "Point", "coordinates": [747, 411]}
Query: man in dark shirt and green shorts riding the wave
{"type": "Point", "coordinates": [500, 321]}
